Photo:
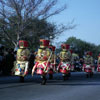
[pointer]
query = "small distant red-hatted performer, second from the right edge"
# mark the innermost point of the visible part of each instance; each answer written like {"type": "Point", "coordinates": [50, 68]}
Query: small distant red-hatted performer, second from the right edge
{"type": "Point", "coordinates": [88, 66]}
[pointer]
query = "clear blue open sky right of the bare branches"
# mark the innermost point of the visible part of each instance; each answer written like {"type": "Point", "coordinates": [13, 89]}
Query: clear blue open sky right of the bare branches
{"type": "Point", "coordinates": [86, 15]}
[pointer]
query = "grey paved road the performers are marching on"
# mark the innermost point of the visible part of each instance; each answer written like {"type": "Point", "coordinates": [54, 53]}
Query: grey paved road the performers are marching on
{"type": "Point", "coordinates": [78, 87]}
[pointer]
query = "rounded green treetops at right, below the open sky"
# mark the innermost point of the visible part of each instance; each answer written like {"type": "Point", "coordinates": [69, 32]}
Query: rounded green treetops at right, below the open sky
{"type": "Point", "coordinates": [81, 47]}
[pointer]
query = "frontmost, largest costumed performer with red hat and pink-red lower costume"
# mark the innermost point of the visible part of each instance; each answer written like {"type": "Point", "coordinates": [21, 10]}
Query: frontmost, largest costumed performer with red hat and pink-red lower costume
{"type": "Point", "coordinates": [42, 60]}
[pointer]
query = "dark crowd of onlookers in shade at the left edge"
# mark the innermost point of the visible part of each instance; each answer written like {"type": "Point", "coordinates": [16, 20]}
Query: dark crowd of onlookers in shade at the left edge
{"type": "Point", "coordinates": [7, 57]}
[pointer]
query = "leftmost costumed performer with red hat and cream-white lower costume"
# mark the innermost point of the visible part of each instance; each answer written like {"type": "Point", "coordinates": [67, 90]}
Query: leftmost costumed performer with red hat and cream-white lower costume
{"type": "Point", "coordinates": [21, 63]}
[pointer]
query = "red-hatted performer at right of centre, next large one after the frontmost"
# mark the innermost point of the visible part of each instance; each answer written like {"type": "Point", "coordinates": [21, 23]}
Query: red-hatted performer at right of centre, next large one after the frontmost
{"type": "Point", "coordinates": [65, 61]}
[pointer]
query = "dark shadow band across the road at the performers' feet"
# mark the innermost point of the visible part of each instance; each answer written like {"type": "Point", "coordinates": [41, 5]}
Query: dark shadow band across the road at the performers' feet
{"type": "Point", "coordinates": [74, 80]}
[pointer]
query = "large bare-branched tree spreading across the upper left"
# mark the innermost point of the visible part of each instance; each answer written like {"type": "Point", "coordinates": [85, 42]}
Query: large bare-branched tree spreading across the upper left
{"type": "Point", "coordinates": [17, 16]}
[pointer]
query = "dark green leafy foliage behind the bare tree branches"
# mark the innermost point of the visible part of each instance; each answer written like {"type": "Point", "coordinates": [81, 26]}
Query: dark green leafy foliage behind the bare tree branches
{"type": "Point", "coordinates": [33, 32]}
